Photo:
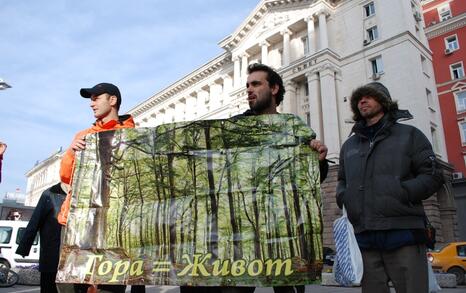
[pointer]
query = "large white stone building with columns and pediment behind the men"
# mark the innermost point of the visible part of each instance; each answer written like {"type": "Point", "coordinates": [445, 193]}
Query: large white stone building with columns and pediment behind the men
{"type": "Point", "coordinates": [323, 50]}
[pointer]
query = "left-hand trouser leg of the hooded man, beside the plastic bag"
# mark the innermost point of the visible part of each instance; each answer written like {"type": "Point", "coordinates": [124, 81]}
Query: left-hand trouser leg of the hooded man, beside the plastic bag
{"type": "Point", "coordinates": [374, 278]}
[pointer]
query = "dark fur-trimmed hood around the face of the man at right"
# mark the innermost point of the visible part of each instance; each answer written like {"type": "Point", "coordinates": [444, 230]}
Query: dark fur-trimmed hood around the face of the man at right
{"type": "Point", "coordinates": [375, 90]}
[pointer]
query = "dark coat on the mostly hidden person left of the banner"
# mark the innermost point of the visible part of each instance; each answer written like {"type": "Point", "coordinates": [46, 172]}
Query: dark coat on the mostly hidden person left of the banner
{"type": "Point", "coordinates": [44, 220]}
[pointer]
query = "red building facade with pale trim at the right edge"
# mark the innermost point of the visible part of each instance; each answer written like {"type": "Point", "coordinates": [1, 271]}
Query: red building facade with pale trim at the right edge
{"type": "Point", "coordinates": [445, 22]}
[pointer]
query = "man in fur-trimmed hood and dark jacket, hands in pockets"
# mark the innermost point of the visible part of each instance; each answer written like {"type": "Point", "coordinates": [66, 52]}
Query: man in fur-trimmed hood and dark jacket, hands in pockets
{"type": "Point", "coordinates": [386, 170]}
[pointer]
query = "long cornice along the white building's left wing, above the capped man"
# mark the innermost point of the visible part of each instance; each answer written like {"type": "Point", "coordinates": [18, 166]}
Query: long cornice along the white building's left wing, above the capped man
{"type": "Point", "coordinates": [182, 84]}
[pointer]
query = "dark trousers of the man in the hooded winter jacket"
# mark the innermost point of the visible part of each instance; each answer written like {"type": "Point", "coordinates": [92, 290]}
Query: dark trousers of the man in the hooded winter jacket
{"type": "Point", "coordinates": [406, 267]}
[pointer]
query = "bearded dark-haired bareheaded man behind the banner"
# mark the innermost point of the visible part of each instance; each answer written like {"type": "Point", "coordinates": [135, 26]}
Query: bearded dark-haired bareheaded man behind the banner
{"type": "Point", "coordinates": [265, 93]}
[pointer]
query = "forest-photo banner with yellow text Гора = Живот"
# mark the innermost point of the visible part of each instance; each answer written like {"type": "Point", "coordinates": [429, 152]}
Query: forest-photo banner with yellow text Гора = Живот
{"type": "Point", "coordinates": [232, 202]}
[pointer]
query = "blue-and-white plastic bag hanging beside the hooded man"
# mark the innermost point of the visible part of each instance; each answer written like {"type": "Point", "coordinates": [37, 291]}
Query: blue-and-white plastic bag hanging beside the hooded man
{"type": "Point", "coordinates": [348, 266]}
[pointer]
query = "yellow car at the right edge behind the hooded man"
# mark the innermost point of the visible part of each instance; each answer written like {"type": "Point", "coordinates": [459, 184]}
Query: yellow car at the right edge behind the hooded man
{"type": "Point", "coordinates": [450, 259]}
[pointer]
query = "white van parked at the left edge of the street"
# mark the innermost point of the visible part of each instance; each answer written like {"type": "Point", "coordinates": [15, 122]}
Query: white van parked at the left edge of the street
{"type": "Point", "coordinates": [10, 235]}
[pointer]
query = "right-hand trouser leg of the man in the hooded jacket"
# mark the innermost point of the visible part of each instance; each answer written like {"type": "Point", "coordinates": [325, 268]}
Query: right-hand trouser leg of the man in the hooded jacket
{"type": "Point", "coordinates": [407, 268]}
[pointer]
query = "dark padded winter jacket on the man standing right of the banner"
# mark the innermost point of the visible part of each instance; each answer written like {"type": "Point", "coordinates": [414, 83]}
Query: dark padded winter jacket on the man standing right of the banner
{"type": "Point", "coordinates": [382, 182]}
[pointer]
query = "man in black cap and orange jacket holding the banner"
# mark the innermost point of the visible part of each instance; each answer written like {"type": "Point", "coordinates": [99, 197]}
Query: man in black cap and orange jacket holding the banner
{"type": "Point", "coordinates": [105, 100]}
